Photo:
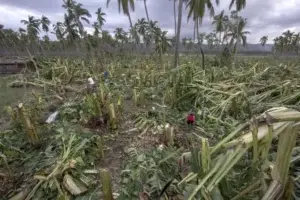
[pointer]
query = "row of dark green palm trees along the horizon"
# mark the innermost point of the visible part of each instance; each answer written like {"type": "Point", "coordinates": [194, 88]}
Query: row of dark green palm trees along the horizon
{"type": "Point", "coordinates": [229, 31]}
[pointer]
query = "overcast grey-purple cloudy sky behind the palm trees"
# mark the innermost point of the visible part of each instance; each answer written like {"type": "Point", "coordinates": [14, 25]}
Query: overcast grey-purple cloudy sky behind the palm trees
{"type": "Point", "coordinates": [265, 17]}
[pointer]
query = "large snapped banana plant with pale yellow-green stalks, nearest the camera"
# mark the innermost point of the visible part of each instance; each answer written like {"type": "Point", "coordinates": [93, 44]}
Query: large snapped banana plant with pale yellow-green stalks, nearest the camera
{"type": "Point", "coordinates": [280, 122]}
